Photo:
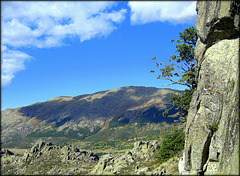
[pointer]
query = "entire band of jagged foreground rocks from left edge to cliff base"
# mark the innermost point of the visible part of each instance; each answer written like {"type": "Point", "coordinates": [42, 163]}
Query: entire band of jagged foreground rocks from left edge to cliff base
{"type": "Point", "coordinates": [44, 158]}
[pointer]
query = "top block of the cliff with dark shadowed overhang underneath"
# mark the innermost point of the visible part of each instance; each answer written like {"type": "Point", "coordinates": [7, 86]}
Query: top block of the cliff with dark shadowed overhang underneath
{"type": "Point", "coordinates": [217, 20]}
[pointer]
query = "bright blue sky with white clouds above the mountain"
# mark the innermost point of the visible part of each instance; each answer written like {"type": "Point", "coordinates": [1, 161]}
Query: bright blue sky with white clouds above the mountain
{"type": "Point", "coordinates": [60, 48]}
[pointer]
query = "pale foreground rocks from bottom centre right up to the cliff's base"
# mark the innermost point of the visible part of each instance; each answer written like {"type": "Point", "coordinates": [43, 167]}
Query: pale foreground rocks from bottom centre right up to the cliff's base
{"type": "Point", "coordinates": [138, 161]}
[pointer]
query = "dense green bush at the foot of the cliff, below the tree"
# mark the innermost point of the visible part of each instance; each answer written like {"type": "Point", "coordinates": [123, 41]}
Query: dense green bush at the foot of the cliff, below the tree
{"type": "Point", "coordinates": [172, 143]}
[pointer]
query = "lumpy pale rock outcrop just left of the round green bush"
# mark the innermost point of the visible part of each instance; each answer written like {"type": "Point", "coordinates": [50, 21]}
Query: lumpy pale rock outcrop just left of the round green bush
{"type": "Point", "coordinates": [128, 162]}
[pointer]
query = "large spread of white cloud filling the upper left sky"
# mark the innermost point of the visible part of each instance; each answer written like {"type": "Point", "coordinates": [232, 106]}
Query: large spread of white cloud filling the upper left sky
{"type": "Point", "coordinates": [47, 24]}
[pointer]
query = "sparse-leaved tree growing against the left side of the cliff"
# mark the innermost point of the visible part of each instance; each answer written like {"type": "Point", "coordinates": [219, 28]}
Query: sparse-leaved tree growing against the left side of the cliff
{"type": "Point", "coordinates": [181, 70]}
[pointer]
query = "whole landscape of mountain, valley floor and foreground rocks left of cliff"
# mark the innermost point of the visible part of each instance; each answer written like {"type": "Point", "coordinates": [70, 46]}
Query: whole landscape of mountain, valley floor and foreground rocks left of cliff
{"type": "Point", "coordinates": [109, 125]}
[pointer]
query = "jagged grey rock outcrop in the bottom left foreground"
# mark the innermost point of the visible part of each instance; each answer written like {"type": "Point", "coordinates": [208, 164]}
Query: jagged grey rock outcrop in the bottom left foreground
{"type": "Point", "coordinates": [46, 159]}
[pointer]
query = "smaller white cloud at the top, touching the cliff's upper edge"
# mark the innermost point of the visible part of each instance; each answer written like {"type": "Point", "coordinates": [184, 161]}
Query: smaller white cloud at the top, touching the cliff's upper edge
{"type": "Point", "coordinates": [175, 12]}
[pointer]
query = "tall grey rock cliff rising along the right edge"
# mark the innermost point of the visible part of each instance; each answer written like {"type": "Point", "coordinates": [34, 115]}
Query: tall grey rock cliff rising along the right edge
{"type": "Point", "coordinates": [212, 129]}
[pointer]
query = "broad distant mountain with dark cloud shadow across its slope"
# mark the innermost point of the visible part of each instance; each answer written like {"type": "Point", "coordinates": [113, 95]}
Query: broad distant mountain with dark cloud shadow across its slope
{"type": "Point", "coordinates": [90, 116]}
